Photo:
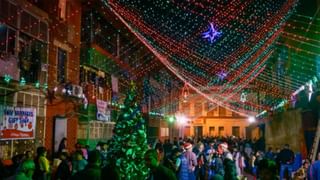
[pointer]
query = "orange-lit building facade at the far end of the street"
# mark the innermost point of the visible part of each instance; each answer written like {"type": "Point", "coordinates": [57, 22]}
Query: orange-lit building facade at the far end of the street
{"type": "Point", "coordinates": [203, 118]}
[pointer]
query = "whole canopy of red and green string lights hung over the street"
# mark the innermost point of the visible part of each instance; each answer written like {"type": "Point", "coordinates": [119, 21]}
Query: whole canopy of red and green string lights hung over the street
{"type": "Point", "coordinates": [237, 54]}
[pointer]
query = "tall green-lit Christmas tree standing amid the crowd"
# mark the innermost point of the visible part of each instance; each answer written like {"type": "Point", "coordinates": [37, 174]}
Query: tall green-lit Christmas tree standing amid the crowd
{"type": "Point", "coordinates": [128, 144]}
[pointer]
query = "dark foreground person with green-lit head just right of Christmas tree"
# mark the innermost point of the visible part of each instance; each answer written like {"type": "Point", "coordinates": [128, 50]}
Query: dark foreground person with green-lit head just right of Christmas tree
{"type": "Point", "coordinates": [157, 171]}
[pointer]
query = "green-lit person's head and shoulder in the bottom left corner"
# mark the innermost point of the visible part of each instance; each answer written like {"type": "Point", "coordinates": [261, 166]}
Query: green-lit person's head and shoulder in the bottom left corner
{"type": "Point", "coordinates": [25, 172]}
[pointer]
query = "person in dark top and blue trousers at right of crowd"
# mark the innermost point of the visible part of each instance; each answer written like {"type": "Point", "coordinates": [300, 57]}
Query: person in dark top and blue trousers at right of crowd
{"type": "Point", "coordinates": [286, 159]}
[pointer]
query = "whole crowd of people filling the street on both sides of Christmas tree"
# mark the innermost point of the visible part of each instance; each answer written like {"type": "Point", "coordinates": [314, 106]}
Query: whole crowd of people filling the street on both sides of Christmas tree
{"type": "Point", "coordinates": [207, 158]}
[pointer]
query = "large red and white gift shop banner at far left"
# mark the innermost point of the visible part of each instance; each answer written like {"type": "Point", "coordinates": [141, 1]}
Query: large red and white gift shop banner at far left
{"type": "Point", "coordinates": [17, 123]}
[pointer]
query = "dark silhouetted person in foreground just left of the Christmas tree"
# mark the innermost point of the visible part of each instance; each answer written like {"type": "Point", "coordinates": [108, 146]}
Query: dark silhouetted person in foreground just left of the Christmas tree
{"type": "Point", "coordinates": [92, 170]}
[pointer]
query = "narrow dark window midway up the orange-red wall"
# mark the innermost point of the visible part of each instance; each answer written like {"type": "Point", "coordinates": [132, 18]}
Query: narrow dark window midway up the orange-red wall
{"type": "Point", "coordinates": [61, 67]}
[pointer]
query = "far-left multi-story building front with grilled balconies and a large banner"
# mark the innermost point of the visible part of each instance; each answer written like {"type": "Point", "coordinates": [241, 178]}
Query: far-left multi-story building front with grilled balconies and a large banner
{"type": "Point", "coordinates": [24, 39]}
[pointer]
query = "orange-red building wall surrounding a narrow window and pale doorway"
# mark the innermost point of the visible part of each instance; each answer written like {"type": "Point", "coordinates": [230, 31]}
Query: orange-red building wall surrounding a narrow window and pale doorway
{"type": "Point", "coordinates": [64, 34]}
